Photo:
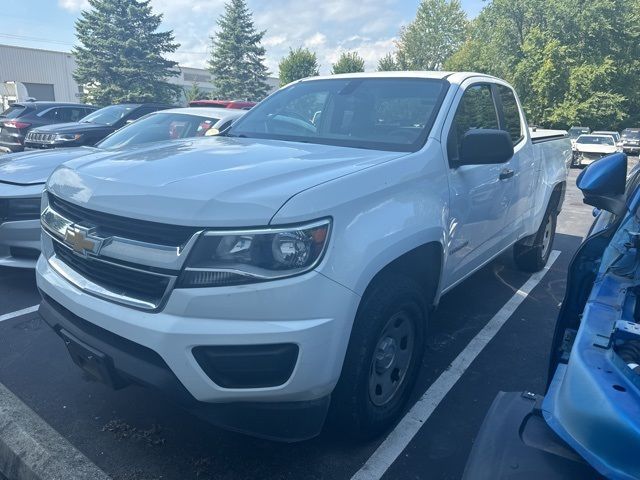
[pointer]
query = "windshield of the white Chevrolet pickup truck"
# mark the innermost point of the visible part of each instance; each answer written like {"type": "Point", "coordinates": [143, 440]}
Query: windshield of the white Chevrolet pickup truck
{"type": "Point", "coordinates": [382, 113]}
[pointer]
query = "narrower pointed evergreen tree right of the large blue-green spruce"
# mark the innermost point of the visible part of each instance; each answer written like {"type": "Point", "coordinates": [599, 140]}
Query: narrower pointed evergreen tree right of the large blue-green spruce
{"type": "Point", "coordinates": [237, 56]}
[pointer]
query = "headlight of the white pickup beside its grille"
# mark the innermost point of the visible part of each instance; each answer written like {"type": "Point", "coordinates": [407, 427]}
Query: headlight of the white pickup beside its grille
{"type": "Point", "coordinates": [247, 256]}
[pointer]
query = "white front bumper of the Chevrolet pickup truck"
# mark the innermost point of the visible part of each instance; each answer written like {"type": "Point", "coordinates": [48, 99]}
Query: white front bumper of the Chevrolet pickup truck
{"type": "Point", "coordinates": [310, 311]}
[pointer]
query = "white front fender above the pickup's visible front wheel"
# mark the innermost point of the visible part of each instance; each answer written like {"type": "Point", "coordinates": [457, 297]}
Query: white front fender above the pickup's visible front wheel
{"type": "Point", "coordinates": [378, 214]}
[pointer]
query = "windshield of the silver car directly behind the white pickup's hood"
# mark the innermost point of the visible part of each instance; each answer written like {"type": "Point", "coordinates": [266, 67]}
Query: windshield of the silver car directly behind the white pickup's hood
{"type": "Point", "coordinates": [157, 127]}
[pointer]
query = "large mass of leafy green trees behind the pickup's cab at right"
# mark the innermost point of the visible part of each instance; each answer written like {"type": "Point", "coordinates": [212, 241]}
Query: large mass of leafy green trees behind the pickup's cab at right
{"type": "Point", "coordinates": [572, 62]}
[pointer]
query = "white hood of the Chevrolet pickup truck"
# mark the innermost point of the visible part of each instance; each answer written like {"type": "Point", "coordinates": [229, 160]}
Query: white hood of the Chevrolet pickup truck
{"type": "Point", "coordinates": [216, 181]}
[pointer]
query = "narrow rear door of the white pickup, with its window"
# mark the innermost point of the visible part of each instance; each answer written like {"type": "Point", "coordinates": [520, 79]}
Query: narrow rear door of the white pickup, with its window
{"type": "Point", "coordinates": [523, 162]}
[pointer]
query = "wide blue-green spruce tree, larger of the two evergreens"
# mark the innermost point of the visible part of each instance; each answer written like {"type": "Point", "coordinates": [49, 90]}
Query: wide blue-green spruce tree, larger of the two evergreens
{"type": "Point", "coordinates": [120, 56]}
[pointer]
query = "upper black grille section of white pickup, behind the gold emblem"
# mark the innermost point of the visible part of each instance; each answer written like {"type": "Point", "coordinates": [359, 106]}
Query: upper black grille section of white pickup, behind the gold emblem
{"type": "Point", "coordinates": [108, 225]}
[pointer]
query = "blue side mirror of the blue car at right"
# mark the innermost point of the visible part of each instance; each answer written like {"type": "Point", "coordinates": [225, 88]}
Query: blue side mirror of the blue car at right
{"type": "Point", "coordinates": [603, 183]}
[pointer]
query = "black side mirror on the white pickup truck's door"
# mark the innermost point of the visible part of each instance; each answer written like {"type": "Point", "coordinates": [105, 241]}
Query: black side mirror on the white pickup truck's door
{"type": "Point", "coordinates": [485, 147]}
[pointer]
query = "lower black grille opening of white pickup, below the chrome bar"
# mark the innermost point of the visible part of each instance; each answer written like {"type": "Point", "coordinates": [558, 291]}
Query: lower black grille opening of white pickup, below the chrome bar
{"type": "Point", "coordinates": [117, 279]}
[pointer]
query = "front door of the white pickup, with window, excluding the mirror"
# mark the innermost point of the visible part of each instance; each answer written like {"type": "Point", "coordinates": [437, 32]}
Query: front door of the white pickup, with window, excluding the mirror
{"type": "Point", "coordinates": [480, 195]}
